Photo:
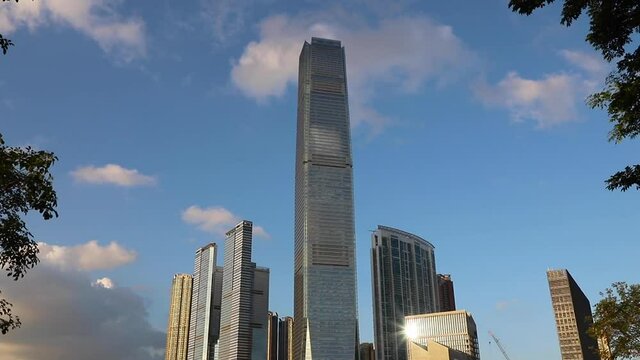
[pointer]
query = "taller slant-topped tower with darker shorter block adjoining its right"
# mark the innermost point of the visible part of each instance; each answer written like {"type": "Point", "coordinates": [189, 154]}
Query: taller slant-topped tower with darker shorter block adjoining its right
{"type": "Point", "coordinates": [245, 299]}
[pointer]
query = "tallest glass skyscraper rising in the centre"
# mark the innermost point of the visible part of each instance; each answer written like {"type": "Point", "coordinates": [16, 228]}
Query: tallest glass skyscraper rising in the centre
{"type": "Point", "coordinates": [325, 303]}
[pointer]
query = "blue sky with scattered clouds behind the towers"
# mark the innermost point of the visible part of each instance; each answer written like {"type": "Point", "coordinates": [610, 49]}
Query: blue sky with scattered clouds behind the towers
{"type": "Point", "coordinates": [172, 120]}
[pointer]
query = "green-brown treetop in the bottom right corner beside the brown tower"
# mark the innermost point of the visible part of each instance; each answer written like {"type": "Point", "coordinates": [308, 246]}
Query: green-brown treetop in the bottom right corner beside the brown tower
{"type": "Point", "coordinates": [616, 320]}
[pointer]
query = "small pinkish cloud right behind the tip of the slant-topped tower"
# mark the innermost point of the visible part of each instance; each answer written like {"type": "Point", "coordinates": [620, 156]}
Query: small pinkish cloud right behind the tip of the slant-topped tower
{"type": "Point", "coordinates": [216, 220]}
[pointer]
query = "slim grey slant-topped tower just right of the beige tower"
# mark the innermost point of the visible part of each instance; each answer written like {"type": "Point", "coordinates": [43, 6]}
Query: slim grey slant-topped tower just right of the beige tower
{"type": "Point", "coordinates": [204, 326]}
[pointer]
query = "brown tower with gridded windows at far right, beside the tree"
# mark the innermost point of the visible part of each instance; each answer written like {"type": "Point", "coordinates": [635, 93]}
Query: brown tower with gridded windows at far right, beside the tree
{"type": "Point", "coordinates": [573, 317]}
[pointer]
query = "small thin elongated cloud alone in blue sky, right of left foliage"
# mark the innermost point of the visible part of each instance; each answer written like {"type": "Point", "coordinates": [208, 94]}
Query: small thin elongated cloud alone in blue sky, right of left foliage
{"type": "Point", "coordinates": [112, 174]}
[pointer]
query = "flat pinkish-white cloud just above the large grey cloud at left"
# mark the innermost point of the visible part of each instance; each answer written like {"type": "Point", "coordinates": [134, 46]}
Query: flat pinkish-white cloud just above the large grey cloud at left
{"type": "Point", "coordinates": [88, 256]}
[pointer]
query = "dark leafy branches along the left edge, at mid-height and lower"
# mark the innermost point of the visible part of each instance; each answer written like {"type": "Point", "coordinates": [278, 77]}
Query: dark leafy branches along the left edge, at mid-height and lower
{"type": "Point", "coordinates": [25, 185]}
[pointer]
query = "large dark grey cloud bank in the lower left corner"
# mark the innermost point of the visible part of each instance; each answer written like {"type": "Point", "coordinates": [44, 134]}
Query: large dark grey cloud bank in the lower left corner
{"type": "Point", "coordinates": [65, 317]}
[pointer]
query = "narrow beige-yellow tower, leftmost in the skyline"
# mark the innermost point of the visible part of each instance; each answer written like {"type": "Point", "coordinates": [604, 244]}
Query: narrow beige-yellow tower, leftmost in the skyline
{"type": "Point", "coordinates": [179, 312]}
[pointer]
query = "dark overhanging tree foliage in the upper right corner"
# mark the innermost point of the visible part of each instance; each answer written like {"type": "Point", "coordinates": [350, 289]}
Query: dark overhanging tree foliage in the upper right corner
{"type": "Point", "coordinates": [613, 25]}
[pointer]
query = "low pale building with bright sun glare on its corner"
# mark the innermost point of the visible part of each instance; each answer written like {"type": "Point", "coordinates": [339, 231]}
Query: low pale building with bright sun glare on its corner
{"type": "Point", "coordinates": [453, 329]}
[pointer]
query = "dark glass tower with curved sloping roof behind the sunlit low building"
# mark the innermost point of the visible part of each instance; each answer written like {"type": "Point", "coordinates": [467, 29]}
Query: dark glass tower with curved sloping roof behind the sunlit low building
{"type": "Point", "coordinates": [404, 283]}
